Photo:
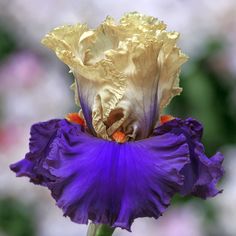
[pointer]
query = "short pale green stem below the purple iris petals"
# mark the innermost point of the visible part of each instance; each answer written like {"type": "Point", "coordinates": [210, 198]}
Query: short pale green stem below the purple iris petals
{"type": "Point", "coordinates": [100, 230]}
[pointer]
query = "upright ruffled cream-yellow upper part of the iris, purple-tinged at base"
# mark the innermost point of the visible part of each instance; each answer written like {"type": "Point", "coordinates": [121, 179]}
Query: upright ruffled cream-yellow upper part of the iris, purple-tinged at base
{"type": "Point", "coordinates": [125, 73]}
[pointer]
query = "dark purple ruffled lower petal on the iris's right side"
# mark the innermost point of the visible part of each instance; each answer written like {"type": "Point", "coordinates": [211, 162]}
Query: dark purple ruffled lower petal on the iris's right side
{"type": "Point", "coordinates": [202, 174]}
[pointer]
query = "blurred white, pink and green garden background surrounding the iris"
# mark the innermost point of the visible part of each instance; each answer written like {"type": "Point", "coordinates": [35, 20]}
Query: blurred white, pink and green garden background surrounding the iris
{"type": "Point", "coordinates": [34, 86]}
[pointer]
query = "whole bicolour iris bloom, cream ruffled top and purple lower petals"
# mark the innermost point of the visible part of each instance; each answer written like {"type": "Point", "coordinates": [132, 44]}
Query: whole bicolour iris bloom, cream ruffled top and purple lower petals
{"type": "Point", "coordinates": [119, 158]}
